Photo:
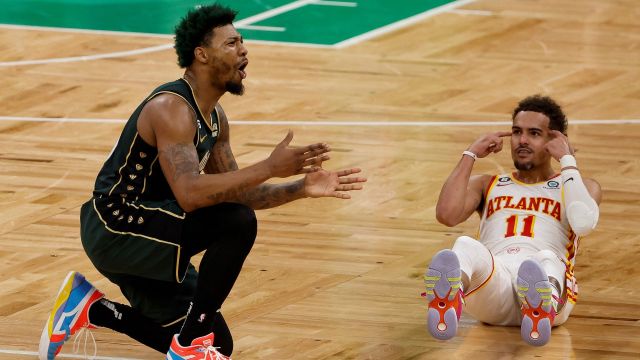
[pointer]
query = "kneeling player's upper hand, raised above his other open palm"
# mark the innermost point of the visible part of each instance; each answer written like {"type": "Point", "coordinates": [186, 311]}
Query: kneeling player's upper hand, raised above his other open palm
{"type": "Point", "coordinates": [286, 160]}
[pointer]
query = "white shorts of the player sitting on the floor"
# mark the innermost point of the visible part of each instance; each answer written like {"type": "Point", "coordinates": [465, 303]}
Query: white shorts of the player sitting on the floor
{"type": "Point", "coordinates": [490, 280]}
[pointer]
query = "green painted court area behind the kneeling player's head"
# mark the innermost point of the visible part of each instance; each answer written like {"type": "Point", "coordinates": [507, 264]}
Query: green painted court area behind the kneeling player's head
{"type": "Point", "coordinates": [319, 22]}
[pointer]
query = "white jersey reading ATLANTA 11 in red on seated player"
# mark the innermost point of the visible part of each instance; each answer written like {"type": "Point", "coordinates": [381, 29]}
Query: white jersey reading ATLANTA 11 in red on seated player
{"type": "Point", "coordinates": [529, 217]}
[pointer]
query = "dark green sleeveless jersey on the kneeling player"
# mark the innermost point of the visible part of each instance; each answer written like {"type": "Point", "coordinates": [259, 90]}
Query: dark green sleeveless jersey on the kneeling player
{"type": "Point", "coordinates": [132, 170]}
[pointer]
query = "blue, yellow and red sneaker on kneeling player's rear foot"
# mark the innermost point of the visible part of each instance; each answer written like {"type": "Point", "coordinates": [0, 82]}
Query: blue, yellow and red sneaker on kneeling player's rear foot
{"type": "Point", "coordinates": [69, 314]}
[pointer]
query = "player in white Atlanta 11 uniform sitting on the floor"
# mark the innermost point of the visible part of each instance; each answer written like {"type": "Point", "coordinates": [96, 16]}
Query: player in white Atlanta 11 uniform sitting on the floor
{"type": "Point", "coordinates": [520, 269]}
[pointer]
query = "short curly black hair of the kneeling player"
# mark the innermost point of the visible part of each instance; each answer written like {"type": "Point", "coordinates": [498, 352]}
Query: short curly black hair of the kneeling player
{"type": "Point", "coordinates": [196, 29]}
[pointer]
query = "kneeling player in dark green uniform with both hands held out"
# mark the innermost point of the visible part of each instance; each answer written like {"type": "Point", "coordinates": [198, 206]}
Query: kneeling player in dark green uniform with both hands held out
{"type": "Point", "coordinates": [171, 189]}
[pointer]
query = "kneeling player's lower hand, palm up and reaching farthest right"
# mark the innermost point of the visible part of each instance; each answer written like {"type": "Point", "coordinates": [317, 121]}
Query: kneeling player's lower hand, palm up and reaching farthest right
{"type": "Point", "coordinates": [324, 183]}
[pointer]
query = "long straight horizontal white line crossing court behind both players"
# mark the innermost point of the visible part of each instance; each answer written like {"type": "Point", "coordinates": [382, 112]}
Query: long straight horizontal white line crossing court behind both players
{"type": "Point", "coordinates": [326, 123]}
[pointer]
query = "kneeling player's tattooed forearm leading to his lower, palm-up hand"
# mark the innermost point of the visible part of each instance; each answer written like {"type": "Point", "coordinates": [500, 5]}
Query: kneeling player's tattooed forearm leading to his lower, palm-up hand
{"type": "Point", "coordinates": [267, 196]}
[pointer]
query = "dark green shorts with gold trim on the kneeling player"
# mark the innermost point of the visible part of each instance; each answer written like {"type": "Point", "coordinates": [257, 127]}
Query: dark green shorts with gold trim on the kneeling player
{"type": "Point", "coordinates": [137, 245]}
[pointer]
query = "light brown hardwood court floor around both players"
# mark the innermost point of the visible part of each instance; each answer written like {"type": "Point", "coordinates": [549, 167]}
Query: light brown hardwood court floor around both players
{"type": "Point", "coordinates": [332, 279]}
